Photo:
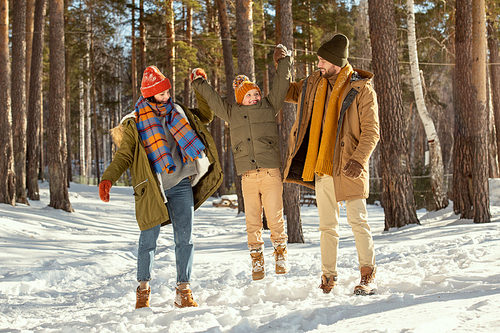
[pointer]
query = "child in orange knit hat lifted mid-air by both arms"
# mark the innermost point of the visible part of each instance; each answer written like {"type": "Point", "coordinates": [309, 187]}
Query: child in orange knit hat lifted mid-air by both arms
{"type": "Point", "coordinates": [255, 145]}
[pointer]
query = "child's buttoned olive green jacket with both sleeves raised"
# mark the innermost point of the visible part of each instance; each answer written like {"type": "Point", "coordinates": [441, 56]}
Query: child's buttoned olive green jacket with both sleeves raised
{"type": "Point", "coordinates": [254, 133]}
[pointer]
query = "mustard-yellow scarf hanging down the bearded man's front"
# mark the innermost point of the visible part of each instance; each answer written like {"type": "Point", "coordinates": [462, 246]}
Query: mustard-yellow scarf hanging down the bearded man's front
{"type": "Point", "coordinates": [319, 158]}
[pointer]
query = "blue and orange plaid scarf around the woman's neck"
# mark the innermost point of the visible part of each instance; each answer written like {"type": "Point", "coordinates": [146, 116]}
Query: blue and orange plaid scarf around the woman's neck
{"type": "Point", "coordinates": [153, 135]}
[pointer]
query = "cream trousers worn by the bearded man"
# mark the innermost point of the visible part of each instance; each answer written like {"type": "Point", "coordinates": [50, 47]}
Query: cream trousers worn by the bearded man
{"type": "Point", "coordinates": [357, 217]}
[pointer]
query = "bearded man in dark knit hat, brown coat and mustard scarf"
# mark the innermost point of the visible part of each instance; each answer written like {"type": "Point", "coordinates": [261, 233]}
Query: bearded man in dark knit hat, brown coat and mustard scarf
{"type": "Point", "coordinates": [336, 130]}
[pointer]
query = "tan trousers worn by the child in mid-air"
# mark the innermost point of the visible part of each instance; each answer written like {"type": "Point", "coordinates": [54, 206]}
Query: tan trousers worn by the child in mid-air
{"type": "Point", "coordinates": [263, 188]}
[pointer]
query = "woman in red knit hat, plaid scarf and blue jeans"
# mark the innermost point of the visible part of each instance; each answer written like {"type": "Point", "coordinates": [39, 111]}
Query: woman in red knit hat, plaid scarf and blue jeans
{"type": "Point", "coordinates": [168, 151]}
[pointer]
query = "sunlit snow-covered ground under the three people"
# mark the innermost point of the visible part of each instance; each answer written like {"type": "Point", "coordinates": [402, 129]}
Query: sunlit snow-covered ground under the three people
{"type": "Point", "coordinates": [75, 272]}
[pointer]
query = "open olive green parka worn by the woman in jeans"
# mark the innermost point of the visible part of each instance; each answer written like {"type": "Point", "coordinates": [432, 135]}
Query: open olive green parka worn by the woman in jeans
{"type": "Point", "coordinates": [150, 208]}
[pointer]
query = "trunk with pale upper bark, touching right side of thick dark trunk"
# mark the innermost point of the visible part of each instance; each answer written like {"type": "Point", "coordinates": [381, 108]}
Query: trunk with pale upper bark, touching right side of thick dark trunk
{"type": "Point", "coordinates": [481, 117]}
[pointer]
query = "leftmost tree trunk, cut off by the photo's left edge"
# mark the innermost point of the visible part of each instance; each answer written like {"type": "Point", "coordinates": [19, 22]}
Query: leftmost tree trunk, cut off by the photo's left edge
{"type": "Point", "coordinates": [7, 178]}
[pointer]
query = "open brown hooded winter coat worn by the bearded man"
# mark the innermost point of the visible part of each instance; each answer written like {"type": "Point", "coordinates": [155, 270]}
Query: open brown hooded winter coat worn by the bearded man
{"type": "Point", "coordinates": [357, 136]}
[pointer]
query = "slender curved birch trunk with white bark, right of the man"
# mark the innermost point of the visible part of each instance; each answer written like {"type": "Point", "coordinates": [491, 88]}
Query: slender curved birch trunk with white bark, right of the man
{"type": "Point", "coordinates": [439, 197]}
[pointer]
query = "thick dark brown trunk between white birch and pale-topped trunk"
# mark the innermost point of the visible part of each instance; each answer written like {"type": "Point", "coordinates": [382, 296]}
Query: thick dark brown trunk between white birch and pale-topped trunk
{"type": "Point", "coordinates": [463, 200]}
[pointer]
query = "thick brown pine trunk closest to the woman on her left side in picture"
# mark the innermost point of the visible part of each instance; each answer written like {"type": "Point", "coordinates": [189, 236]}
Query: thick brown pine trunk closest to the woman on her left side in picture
{"type": "Point", "coordinates": [59, 198]}
